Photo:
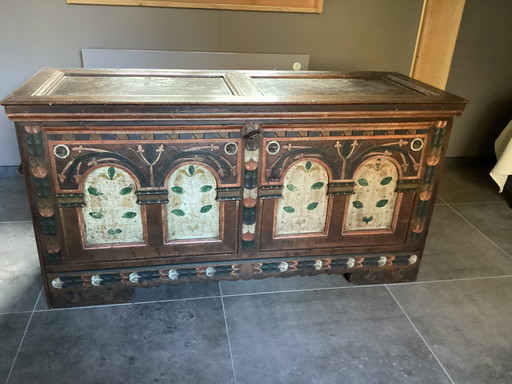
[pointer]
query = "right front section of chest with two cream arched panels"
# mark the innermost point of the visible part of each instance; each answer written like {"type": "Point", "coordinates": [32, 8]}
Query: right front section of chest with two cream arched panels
{"type": "Point", "coordinates": [339, 185]}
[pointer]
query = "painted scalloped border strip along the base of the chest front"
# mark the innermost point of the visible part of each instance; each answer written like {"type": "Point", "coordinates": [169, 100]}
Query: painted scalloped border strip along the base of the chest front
{"type": "Point", "coordinates": [187, 273]}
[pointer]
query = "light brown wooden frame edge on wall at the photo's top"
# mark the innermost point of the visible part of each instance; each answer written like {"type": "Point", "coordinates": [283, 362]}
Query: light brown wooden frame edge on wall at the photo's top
{"type": "Point", "coordinates": [305, 6]}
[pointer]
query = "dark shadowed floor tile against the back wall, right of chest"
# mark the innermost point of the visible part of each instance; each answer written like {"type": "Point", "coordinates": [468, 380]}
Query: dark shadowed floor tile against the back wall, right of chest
{"type": "Point", "coordinates": [468, 184]}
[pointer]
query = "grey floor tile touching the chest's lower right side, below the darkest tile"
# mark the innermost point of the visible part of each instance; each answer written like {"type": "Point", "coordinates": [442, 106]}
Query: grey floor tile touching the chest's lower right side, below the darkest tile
{"type": "Point", "coordinates": [456, 250]}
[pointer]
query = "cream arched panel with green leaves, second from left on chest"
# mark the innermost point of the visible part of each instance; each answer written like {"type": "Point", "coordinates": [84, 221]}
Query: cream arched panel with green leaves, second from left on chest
{"type": "Point", "coordinates": [193, 211]}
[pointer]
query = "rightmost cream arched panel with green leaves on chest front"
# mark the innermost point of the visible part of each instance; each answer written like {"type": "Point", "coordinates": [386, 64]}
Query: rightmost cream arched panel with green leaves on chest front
{"type": "Point", "coordinates": [372, 205]}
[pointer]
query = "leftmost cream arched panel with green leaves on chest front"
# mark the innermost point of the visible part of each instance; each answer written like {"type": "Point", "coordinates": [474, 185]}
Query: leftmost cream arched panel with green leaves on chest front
{"type": "Point", "coordinates": [111, 214]}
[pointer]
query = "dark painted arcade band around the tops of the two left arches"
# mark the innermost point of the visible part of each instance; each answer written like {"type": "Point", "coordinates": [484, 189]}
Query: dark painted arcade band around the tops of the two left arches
{"type": "Point", "coordinates": [150, 158]}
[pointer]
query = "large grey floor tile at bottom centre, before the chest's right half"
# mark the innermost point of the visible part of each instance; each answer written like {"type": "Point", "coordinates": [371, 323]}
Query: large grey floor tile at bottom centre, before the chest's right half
{"type": "Point", "coordinates": [351, 335]}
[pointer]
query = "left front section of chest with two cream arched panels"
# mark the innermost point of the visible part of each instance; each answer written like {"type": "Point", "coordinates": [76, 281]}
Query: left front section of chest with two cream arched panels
{"type": "Point", "coordinates": [171, 190]}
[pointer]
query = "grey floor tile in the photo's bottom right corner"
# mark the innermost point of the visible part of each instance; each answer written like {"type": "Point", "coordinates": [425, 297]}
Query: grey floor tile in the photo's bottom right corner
{"type": "Point", "coordinates": [467, 324]}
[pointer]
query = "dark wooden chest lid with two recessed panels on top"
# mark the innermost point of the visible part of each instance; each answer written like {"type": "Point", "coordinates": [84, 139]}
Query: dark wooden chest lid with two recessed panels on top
{"type": "Point", "coordinates": [62, 88]}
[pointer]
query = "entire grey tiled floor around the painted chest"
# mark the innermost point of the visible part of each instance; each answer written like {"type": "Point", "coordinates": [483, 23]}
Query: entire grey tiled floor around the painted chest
{"type": "Point", "coordinates": [453, 326]}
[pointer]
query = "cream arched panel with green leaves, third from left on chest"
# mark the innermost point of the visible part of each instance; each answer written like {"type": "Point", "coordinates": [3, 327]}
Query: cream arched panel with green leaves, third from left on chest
{"type": "Point", "coordinates": [303, 207]}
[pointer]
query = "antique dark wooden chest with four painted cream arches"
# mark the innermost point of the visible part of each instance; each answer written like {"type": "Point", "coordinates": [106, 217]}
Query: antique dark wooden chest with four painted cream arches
{"type": "Point", "coordinates": [138, 178]}
